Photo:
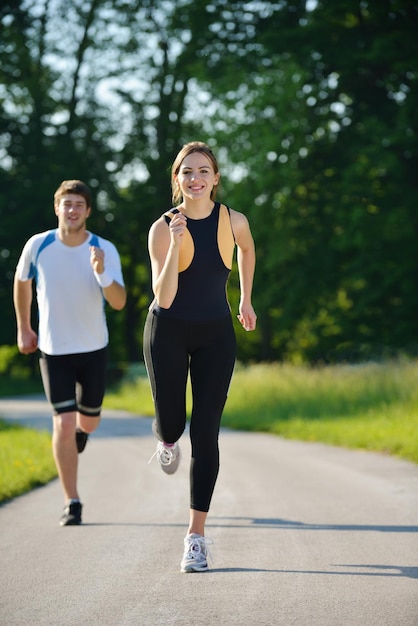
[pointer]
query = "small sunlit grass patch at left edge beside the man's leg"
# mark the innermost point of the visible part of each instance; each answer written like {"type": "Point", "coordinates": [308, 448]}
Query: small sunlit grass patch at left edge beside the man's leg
{"type": "Point", "coordinates": [25, 460]}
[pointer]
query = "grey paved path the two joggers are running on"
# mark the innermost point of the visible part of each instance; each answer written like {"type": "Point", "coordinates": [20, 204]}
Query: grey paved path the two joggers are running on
{"type": "Point", "coordinates": [304, 535]}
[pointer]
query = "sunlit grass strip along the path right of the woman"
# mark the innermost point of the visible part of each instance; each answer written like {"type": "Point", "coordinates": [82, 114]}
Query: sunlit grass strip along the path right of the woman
{"type": "Point", "coordinates": [372, 406]}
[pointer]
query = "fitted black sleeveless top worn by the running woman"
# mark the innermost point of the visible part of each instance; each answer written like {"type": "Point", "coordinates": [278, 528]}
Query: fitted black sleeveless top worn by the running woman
{"type": "Point", "coordinates": [201, 293]}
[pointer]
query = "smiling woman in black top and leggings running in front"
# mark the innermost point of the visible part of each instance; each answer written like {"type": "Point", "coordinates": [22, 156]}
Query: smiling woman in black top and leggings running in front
{"type": "Point", "coordinates": [189, 326]}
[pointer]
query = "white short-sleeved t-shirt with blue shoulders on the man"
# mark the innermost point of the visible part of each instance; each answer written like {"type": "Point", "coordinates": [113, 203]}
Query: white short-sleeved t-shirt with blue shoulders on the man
{"type": "Point", "coordinates": [70, 301]}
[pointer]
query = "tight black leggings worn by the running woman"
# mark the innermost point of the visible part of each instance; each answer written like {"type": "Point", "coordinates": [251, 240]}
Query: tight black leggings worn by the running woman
{"type": "Point", "coordinates": [208, 349]}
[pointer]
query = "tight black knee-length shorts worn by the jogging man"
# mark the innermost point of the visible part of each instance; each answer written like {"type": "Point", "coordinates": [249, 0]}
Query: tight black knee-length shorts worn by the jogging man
{"type": "Point", "coordinates": [75, 382]}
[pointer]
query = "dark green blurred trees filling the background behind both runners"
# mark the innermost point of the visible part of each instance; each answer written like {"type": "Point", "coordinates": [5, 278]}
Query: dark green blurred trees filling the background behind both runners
{"type": "Point", "coordinates": [311, 108]}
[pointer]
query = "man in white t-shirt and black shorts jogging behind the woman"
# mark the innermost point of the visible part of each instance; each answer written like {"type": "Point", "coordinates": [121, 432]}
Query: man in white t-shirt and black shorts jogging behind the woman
{"type": "Point", "coordinates": [75, 272]}
